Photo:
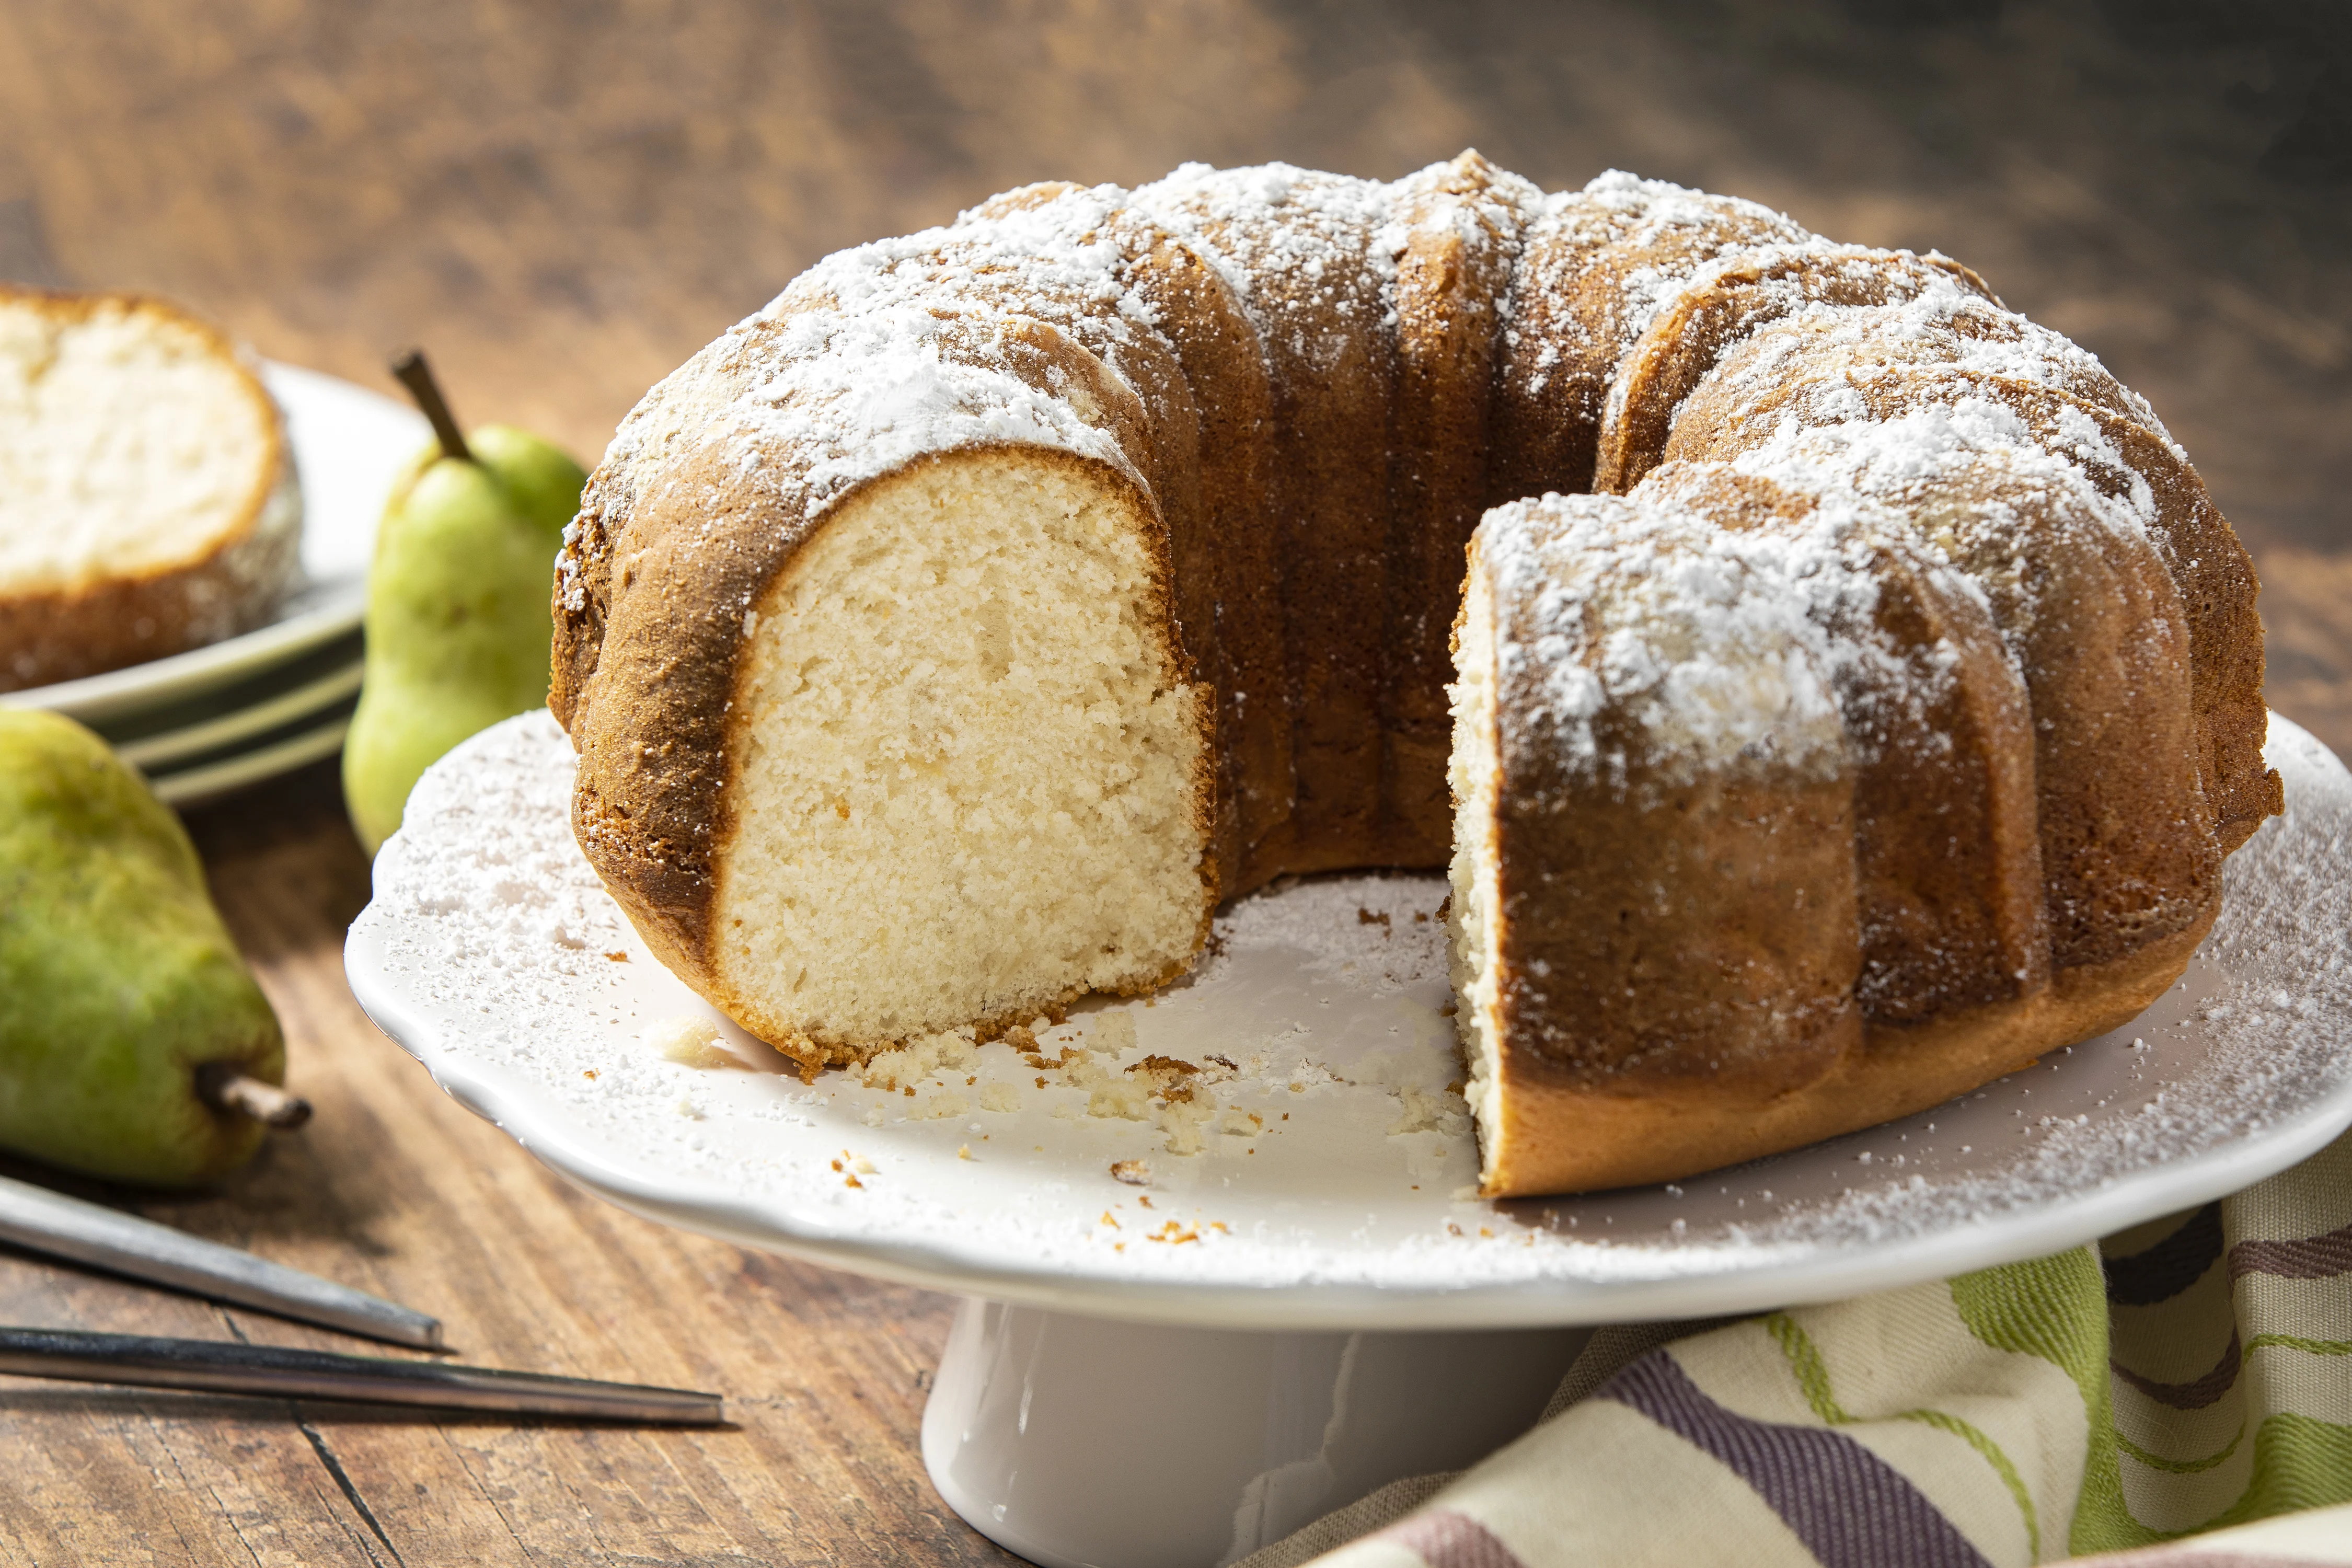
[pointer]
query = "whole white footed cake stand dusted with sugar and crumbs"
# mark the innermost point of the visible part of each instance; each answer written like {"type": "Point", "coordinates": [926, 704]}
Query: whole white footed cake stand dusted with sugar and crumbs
{"type": "Point", "coordinates": [1314, 1304]}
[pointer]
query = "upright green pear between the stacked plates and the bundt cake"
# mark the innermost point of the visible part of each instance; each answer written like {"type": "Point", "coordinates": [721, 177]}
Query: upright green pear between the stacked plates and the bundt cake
{"type": "Point", "coordinates": [457, 612]}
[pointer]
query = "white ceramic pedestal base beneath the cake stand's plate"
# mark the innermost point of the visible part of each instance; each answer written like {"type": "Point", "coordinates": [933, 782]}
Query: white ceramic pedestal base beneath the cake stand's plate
{"type": "Point", "coordinates": [1081, 1442]}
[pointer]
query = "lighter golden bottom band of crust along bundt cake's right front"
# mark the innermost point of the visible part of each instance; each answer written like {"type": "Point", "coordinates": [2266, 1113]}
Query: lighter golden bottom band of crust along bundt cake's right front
{"type": "Point", "coordinates": [1575, 1137]}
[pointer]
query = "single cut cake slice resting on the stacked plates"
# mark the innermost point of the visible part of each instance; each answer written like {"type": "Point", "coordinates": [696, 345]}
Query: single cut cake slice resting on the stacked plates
{"type": "Point", "coordinates": [147, 490]}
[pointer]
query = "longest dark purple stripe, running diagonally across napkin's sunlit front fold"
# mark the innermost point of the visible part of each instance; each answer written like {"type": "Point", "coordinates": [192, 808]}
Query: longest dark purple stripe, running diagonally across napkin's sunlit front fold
{"type": "Point", "coordinates": [1845, 1503]}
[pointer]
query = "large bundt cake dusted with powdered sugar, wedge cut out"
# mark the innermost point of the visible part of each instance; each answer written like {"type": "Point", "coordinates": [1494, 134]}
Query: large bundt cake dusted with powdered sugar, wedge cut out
{"type": "Point", "coordinates": [1852, 692]}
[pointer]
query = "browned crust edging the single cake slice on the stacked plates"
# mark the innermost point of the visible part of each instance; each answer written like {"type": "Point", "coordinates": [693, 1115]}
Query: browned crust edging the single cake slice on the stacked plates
{"type": "Point", "coordinates": [168, 610]}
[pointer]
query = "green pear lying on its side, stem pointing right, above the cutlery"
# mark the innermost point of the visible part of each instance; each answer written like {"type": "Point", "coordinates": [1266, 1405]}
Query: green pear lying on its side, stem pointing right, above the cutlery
{"type": "Point", "coordinates": [119, 984]}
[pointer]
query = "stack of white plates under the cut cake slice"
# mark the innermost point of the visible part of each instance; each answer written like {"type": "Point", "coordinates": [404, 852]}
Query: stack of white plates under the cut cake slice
{"type": "Point", "coordinates": [234, 713]}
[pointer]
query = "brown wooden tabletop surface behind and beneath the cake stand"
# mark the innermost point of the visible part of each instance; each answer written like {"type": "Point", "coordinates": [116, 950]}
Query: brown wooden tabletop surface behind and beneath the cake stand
{"type": "Point", "coordinates": [563, 199]}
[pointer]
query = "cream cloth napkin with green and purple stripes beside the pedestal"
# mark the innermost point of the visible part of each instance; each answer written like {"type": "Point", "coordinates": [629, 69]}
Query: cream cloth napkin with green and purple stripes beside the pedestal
{"type": "Point", "coordinates": [2186, 1379]}
